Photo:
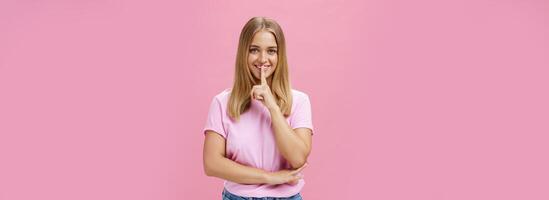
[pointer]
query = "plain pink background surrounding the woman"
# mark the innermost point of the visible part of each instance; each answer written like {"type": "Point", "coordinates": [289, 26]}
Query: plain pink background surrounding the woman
{"type": "Point", "coordinates": [441, 100]}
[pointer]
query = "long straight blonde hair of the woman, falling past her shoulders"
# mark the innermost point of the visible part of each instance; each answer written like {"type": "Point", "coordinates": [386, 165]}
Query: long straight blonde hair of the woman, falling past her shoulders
{"type": "Point", "coordinates": [239, 100]}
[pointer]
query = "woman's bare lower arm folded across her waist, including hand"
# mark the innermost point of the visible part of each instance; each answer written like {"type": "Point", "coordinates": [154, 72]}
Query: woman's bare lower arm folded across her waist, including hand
{"type": "Point", "coordinates": [217, 165]}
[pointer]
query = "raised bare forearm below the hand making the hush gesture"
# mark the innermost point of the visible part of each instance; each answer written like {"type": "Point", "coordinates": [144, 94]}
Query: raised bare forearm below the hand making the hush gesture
{"type": "Point", "coordinates": [292, 148]}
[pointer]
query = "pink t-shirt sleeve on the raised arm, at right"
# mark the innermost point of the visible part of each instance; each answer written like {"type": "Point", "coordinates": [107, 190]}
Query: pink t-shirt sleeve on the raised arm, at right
{"type": "Point", "coordinates": [302, 116]}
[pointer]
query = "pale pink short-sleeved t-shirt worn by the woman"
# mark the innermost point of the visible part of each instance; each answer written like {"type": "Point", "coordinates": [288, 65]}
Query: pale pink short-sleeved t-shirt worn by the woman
{"type": "Point", "coordinates": [251, 141]}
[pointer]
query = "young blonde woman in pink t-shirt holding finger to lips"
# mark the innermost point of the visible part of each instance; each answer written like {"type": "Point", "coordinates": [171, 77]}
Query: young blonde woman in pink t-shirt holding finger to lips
{"type": "Point", "coordinates": [258, 134]}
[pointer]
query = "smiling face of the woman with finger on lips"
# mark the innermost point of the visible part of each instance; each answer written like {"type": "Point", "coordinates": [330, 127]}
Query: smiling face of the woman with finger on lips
{"type": "Point", "coordinates": [263, 51]}
